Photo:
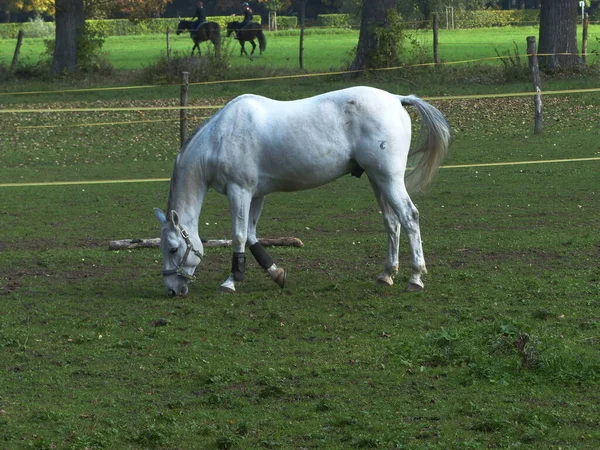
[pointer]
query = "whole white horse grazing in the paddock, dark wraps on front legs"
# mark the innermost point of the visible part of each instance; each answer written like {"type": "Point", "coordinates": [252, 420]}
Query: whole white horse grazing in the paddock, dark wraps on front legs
{"type": "Point", "coordinates": [255, 146]}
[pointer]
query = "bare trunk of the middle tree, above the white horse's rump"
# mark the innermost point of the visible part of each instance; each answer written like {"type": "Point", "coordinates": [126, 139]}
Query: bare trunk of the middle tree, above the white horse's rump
{"type": "Point", "coordinates": [373, 15]}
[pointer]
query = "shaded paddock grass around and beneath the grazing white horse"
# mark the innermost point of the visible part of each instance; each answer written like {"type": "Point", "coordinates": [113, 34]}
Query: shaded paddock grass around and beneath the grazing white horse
{"type": "Point", "coordinates": [501, 350]}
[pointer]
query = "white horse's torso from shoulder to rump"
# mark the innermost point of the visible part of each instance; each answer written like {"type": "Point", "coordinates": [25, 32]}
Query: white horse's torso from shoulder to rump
{"type": "Point", "coordinates": [292, 145]}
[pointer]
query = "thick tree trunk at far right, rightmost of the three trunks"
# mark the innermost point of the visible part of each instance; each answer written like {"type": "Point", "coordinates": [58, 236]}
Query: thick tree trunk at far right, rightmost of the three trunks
{"type": "Point", "coordinates": [558, 33]}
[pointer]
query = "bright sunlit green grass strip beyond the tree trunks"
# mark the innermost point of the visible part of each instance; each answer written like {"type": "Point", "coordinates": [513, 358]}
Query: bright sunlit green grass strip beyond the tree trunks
{"type": "Point", "coordinates": [323, 51]}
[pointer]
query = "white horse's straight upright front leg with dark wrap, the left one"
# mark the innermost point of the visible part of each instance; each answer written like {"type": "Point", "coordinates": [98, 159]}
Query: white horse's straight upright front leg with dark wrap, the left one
{"type": "Point", "coordinates": [239, 209]}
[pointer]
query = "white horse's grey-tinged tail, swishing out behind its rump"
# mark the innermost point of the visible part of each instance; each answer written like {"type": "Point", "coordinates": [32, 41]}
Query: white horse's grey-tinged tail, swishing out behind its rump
{"type": "Point", "coordinates": [435, 140]}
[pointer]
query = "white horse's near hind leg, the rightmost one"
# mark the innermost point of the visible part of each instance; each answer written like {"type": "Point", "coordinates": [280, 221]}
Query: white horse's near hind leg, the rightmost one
{"type": "Point", "coordinates": [394, 193]}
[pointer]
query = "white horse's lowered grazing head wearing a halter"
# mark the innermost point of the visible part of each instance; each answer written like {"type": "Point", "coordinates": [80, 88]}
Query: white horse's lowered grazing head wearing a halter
{"type": "Point", "coordinates": [181, 256]}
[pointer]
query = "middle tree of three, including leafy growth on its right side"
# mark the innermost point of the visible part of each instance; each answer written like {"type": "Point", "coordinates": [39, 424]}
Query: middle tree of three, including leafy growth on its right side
{"type": "Point", "coordinates": [375, 18]}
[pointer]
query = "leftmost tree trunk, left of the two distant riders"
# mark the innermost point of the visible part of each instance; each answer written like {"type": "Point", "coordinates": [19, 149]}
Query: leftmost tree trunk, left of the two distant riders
{"type": "Point", "coordinates": [70, 20]}
